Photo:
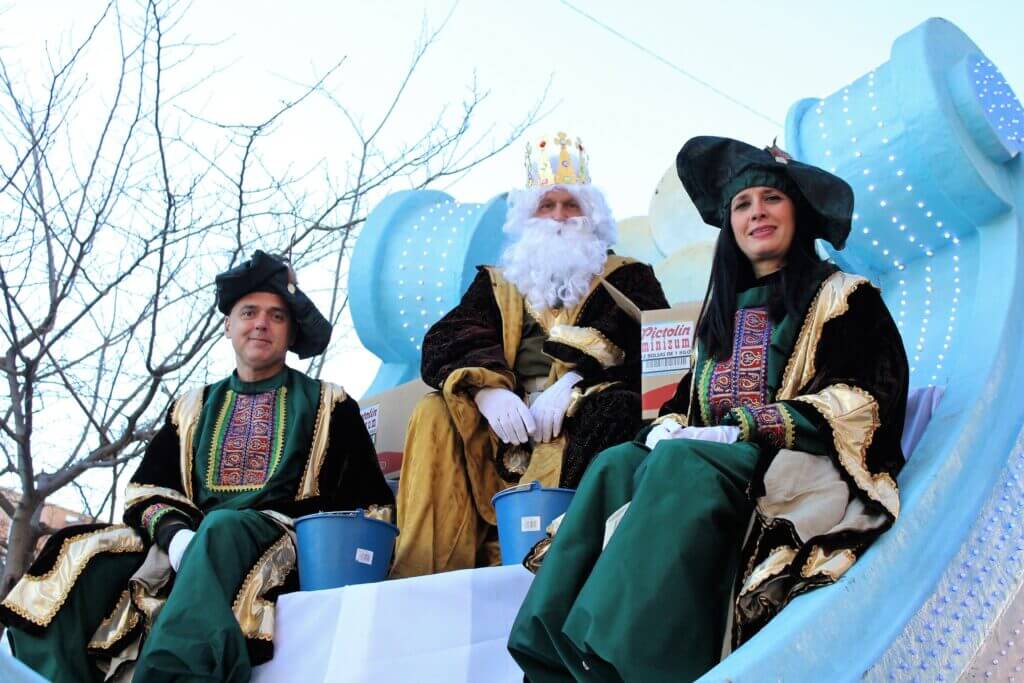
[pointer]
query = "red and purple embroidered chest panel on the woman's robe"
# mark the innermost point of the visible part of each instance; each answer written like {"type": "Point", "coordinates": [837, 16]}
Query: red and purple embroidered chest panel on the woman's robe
{"type": "Point", "coordinates": [741, 380]}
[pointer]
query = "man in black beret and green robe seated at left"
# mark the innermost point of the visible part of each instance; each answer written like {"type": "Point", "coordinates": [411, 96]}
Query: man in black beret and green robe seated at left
{"type": "Point", "coordinates": [185, 589]}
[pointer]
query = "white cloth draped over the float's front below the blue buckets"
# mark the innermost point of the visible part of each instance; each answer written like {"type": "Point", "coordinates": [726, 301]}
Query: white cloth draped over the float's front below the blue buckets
{"type": "Point", "coordinates": [449, 627]}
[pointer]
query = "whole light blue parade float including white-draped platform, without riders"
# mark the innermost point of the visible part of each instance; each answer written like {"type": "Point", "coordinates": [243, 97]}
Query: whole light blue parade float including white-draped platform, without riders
{"type": "Point", "coordinates": [931, 143]}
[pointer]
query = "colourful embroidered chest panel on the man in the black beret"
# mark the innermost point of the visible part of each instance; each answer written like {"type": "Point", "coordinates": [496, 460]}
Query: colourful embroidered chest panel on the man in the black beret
{"type": "Point", "coordinates": [248, 441]}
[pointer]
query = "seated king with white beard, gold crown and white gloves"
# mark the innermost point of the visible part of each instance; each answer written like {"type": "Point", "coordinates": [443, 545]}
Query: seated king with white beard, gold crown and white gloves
{"type": "Point", "coordinates": [537, 370]}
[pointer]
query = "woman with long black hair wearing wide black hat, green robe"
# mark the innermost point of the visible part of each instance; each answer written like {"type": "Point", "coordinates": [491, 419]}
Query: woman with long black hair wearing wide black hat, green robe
{"type": "Point", "coordinates": [769, 474]}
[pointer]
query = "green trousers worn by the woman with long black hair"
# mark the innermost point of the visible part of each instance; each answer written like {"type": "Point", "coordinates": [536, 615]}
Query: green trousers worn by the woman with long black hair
{"type": "Point", "coordinates": [653, 606]}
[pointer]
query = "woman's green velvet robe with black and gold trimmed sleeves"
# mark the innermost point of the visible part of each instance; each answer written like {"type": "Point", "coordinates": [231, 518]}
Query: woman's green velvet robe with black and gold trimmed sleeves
{"type": "Point", "coordinates": [820, 404]}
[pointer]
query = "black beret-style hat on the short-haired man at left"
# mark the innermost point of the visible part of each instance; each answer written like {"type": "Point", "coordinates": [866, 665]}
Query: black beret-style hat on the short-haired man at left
{"type": "Point", "coordinates": [267, 274]}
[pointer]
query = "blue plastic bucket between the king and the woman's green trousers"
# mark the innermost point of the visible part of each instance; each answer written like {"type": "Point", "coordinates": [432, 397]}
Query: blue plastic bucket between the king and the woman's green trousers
{"type": "Point", "coordinates": [524, 515]}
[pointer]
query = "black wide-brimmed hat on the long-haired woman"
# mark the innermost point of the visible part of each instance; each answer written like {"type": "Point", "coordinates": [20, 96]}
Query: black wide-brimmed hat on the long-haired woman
{"type": "Point", "coordinates": [715, 169]}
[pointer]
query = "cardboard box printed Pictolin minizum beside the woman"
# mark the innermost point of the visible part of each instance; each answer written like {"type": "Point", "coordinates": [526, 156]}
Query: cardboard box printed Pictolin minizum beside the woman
{"type": "Point", "coordinates": [667, 337]}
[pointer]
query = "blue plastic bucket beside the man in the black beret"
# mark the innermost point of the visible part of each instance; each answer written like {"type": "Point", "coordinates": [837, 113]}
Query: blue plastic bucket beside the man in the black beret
{"type": "Point", "coordinates": [343, 548]}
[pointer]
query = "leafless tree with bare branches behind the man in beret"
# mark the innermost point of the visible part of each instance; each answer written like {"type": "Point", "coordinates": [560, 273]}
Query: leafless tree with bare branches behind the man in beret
{"type": "Point", "coordinates": [117, 206]}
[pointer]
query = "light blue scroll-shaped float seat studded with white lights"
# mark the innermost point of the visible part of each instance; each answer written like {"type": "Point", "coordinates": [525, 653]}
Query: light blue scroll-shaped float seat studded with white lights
{"type": "Point", "coordinates": [931, 143]}
